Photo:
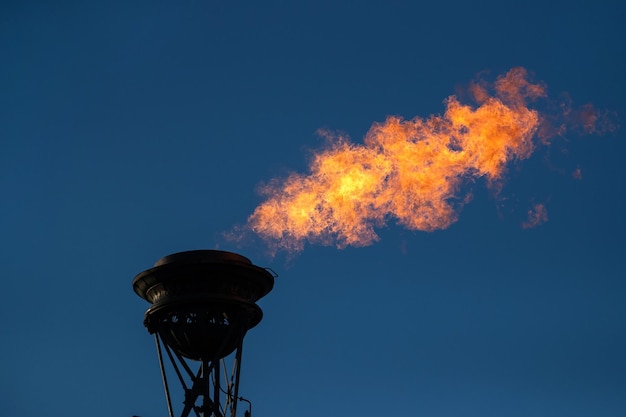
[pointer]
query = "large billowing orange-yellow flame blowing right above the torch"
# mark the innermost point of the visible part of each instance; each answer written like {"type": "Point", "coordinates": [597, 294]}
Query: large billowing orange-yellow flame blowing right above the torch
{"type": "Point", "coordinates": [410, 170]}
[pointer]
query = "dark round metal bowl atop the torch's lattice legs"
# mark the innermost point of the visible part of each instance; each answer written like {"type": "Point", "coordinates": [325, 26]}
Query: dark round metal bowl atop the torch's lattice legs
{"type": "Point", "coordinates": [203, 301]}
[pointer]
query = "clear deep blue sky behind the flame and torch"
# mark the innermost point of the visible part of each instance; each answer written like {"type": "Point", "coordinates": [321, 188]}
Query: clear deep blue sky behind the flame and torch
{"type": "Point", "coordinates": [132, 130]}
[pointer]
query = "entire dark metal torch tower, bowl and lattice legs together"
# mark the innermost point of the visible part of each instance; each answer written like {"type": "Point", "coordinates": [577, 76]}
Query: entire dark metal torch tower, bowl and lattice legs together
{"type": "Point", "coordinates": [203, 303]}
